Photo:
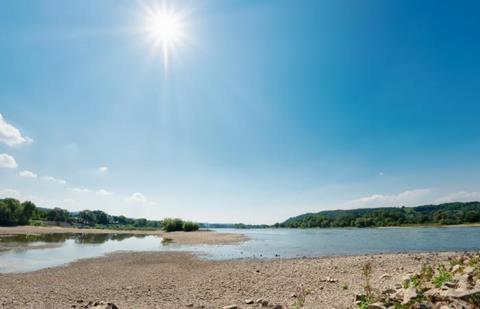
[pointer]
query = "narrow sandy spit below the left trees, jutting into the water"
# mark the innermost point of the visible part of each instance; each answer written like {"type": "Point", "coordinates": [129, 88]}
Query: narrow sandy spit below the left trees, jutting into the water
{"type": "Point", "coordinates": [183, 238]}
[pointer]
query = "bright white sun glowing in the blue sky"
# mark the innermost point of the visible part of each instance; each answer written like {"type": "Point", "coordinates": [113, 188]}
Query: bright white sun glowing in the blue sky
{"type": "Point", "coordinates": [165, 29]}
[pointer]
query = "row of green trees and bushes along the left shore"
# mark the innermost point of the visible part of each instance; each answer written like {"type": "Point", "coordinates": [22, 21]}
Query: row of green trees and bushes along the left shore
{"type": "Point", "coordinates": [14, 212]}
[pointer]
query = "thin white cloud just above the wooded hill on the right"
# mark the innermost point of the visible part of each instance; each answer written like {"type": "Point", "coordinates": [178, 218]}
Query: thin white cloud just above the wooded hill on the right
{"type": "Point", "coordinates": [406, 198]}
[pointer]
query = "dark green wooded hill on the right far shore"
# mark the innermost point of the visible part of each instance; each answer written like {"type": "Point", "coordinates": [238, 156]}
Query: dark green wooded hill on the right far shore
{"type": "Point", "coordinates": [443, 214]}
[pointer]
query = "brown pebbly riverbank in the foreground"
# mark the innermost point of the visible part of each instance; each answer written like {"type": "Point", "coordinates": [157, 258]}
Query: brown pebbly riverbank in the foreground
{"type": "Point", "coordinates": [181, 280]}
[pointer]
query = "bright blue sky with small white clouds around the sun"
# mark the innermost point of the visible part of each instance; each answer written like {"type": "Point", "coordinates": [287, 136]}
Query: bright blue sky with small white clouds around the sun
{"type": "Point", "coordinates": [267, 109]}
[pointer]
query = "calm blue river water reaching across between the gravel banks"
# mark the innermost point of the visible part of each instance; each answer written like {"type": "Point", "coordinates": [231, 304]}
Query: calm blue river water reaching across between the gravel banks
{"type": "Point", "coordinates": [19, 254]}
